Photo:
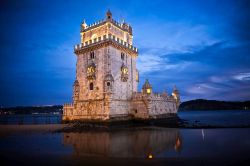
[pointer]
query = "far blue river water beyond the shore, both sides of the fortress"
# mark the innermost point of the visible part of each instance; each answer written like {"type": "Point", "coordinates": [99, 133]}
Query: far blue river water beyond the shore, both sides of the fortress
{"type": "Point", "coordinates": [217, 118]}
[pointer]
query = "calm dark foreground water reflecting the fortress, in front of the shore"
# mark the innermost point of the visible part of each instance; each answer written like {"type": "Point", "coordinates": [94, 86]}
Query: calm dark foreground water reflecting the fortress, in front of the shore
{"type": "Point", "coordinates": [159, 143]}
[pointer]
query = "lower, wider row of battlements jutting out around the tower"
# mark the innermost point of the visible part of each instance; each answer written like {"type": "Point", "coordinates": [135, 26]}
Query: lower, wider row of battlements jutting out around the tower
{"type": "Point", "coordinates": [105, 38]}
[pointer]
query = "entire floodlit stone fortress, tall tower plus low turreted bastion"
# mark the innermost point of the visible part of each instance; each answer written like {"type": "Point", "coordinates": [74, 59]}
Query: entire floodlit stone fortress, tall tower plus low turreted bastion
{"type": "Point", "coordinates": [107, 78]}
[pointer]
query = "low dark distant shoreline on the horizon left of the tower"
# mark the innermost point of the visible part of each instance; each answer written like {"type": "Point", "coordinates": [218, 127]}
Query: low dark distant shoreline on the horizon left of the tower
{"type": "Point", "coordinates": [31, 109]}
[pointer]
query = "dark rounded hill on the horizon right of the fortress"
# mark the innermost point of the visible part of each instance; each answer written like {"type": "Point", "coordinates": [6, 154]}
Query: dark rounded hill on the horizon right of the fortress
{"type": "Point", "coordinates": [201, 104]}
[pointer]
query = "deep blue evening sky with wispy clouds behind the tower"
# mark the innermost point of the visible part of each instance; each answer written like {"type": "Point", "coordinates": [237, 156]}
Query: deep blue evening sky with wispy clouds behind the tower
{"type": "Point", "coordinates": [202, 47]}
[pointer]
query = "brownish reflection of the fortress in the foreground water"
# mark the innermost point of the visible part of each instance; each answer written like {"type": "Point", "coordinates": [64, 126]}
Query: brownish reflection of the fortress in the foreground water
{"type": "Point", "coordinates": [143, 143]}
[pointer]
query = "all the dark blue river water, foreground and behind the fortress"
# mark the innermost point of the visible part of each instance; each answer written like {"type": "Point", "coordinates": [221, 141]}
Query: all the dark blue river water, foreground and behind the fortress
{"type": "Point", "coordinates": [135, 146]}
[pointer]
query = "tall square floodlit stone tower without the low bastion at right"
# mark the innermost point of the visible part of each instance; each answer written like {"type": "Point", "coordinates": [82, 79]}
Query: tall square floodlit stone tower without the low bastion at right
{"type": "Point", "coordinates": [106, 74]}
